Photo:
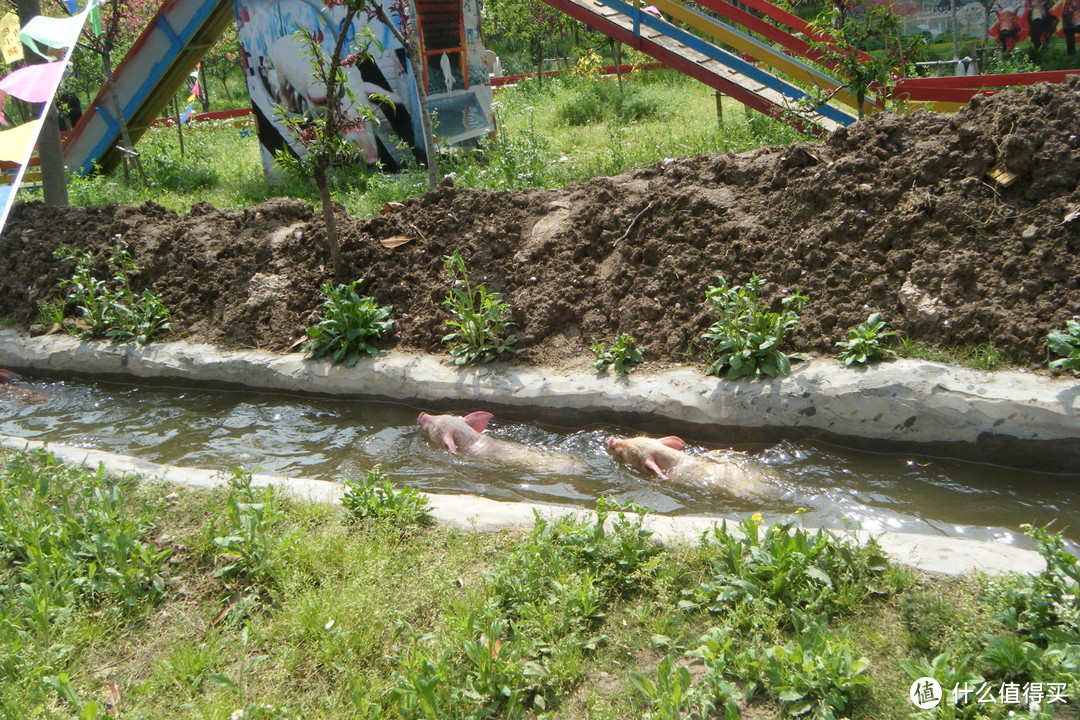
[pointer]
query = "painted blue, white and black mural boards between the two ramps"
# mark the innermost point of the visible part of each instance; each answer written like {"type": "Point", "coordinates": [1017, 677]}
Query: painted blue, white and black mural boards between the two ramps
{"type": "Point", "coordinates": [279, 75]}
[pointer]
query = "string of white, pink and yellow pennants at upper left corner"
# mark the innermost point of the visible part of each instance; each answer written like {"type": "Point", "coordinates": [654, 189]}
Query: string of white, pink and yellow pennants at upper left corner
{"type": "Point", "coordinates": [18, 144]}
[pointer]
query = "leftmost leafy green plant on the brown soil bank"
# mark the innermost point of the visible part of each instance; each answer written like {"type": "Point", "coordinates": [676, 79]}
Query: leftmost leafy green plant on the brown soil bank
{"type": "Point", "coordinates": [111, 309]}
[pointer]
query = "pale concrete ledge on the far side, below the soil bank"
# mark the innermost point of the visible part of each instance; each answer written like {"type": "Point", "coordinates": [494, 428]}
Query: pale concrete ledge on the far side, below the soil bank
{"type": "Point", "coordinates": [1012, 418]}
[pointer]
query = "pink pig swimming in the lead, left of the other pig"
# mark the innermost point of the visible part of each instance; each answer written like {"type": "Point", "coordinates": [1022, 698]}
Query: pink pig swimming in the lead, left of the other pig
{"type": "Point", "coordinates": [465, 437]}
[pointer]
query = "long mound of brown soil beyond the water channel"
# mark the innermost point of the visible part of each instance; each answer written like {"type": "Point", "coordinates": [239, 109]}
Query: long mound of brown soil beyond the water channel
{"type": "Point", "coordinates": [895, 215]}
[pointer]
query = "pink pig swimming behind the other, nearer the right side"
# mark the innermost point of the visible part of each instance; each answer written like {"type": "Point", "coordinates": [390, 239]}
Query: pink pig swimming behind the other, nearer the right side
{"type": "Point", "coordinates": [665, 458]}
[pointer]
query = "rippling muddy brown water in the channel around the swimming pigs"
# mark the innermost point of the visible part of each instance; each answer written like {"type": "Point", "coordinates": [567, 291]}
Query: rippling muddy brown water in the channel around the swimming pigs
{"type": "Point", "coordinates": [335, 439]}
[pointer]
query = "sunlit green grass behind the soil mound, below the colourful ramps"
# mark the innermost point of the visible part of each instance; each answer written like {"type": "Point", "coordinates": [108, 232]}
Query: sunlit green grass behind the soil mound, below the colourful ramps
{"type": "Point", "coordinates": [659, 115]}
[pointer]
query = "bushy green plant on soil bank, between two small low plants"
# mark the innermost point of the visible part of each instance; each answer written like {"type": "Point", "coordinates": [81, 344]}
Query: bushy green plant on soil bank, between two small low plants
{"type": "Point", "coordinates": [747, 337]}
